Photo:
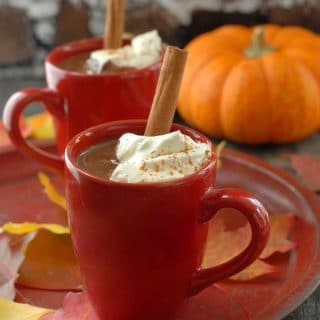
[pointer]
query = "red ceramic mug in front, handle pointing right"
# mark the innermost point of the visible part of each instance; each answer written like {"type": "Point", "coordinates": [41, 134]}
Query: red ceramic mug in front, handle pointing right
{"type": "Point", "coordinates": [140, 245]}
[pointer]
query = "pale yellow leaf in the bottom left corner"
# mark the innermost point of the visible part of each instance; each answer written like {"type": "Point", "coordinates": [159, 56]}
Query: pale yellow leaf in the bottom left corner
{"type": "Point", "coordinates": [10, 310]}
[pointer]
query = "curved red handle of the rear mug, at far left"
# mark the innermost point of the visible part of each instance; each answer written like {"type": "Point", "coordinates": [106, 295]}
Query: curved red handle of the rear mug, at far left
{"type": "Point", "coordinates": [53, 103]}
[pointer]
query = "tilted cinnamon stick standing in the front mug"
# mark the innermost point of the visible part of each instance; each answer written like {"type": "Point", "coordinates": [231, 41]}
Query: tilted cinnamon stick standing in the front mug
{"type": "Point", "coordinates": [164, 102]}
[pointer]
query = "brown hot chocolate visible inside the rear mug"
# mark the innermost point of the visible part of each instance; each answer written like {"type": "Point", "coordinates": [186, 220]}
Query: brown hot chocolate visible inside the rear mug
{"type": "Point", "coordinates": [79, 63]}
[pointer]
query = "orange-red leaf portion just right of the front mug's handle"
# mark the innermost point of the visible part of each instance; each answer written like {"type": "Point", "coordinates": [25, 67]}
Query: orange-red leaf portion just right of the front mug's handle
{"type": "Point", "coordinates": [280, 228]}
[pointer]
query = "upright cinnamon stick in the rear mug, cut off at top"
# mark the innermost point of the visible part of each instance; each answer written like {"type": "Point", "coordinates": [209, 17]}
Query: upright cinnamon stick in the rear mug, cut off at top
{"type": "Point", "coordinates": [114, 24]}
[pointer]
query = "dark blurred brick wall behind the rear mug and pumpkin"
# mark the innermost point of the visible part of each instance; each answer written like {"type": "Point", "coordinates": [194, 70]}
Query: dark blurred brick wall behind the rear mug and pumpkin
{"type": "Point", "coordinates": [30, 28]}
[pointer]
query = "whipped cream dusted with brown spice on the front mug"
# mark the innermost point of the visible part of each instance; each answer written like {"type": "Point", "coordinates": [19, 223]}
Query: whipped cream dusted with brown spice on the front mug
{"type": "Point", "coordinates": [158, 158]}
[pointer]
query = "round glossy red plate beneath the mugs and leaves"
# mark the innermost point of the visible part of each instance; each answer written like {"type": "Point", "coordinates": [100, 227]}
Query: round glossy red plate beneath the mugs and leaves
{"type": "Point", "coordinates": [266, 298]}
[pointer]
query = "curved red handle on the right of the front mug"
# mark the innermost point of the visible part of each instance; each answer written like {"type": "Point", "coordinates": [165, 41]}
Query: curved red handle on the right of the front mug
{"type": "Point", "coordinates": [257, 216]}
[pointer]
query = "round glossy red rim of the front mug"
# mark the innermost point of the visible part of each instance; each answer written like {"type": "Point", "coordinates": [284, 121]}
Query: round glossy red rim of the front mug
{"type": "Point", "coordinates": [76, 171]}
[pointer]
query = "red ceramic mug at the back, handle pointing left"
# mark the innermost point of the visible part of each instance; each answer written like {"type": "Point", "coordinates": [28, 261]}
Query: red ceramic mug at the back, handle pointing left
{"type": "Point", "coordinates": [78, 101]}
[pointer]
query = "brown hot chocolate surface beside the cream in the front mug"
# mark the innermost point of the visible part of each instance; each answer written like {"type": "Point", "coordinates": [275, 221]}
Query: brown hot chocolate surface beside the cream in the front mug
{"type": "Point", "coordinates": [100, 159]}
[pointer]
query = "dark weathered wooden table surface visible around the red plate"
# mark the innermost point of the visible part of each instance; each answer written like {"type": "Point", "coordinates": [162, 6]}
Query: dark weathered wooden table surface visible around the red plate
{"type": "Point", "coordinates": [276, 155]}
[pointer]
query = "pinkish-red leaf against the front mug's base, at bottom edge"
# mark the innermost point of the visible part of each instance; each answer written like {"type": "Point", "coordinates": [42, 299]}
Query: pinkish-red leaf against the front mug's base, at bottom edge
{"type": "Point", "coordinates": [76, 306]}
